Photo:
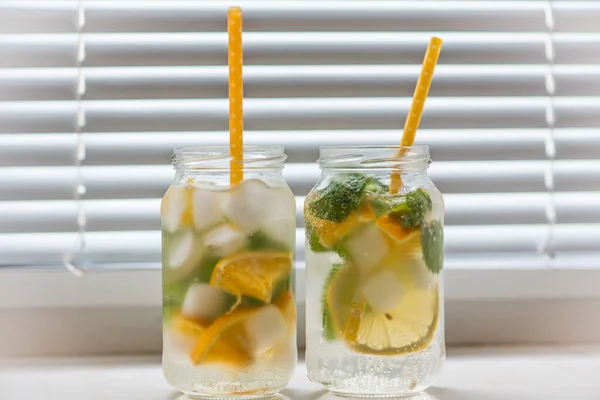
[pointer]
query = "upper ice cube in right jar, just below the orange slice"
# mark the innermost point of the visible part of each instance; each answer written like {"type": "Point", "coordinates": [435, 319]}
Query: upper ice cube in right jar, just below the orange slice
{"type": "Point", "coordinates": [367, 248]}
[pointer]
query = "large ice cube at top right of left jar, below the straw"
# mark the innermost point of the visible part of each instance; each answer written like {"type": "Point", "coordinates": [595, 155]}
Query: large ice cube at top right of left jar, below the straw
{"type": "Point", "coordinates": [252, 205]}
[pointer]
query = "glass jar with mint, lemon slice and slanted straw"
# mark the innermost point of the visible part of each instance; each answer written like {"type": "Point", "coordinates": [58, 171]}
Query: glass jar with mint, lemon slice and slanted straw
{"type": "Point", "coordinates": [374, 303]}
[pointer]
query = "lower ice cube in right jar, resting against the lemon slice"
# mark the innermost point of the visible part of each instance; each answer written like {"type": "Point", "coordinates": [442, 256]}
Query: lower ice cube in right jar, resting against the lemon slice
{"type": "Point", "coordinates": [383, 291]}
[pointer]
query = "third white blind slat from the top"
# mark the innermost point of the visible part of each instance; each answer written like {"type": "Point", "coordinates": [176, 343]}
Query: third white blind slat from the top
{"type": "Point", "coordinates": [114, 83]}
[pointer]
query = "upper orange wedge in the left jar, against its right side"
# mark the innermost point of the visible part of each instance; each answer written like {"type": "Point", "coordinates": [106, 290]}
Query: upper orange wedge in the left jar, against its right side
{"type": "Point", "coordinates": [252, 274]}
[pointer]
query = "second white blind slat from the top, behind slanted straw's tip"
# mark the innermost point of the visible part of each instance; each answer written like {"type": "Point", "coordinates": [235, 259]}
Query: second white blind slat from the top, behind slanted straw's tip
{"type": "Point", "coordinates": [56, 50]}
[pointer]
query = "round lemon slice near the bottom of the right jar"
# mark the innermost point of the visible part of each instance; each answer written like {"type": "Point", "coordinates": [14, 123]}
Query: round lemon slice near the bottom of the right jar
{"type": "Point", "coordinates": [406, 328]}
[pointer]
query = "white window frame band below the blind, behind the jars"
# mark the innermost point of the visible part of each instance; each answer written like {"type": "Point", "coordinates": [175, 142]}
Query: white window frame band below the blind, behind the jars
{"type": "Point", "coordinates": [51, 312]}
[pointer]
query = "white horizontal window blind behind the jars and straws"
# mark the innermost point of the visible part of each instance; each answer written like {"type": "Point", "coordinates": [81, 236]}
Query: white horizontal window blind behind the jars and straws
{"type": "Point", "coordinates": [95, 94]}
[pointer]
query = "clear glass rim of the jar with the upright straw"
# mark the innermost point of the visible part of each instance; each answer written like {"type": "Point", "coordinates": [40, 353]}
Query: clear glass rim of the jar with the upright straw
{"type": "Point", "coordinates": [219, 157]}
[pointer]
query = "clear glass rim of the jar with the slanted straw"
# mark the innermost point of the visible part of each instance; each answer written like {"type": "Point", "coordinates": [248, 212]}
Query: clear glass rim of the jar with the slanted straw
{"type": "Point", "coordinates": [383, 157]}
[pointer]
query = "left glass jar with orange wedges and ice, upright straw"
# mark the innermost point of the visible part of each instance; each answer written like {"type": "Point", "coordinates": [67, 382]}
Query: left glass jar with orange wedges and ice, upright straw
{"type": "Point", "coordinates": [229, 316]}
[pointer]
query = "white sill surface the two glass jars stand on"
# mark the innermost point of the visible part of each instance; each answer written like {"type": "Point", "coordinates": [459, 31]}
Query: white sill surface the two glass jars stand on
{"type": "Point", "coordinates": [470, 374]}
